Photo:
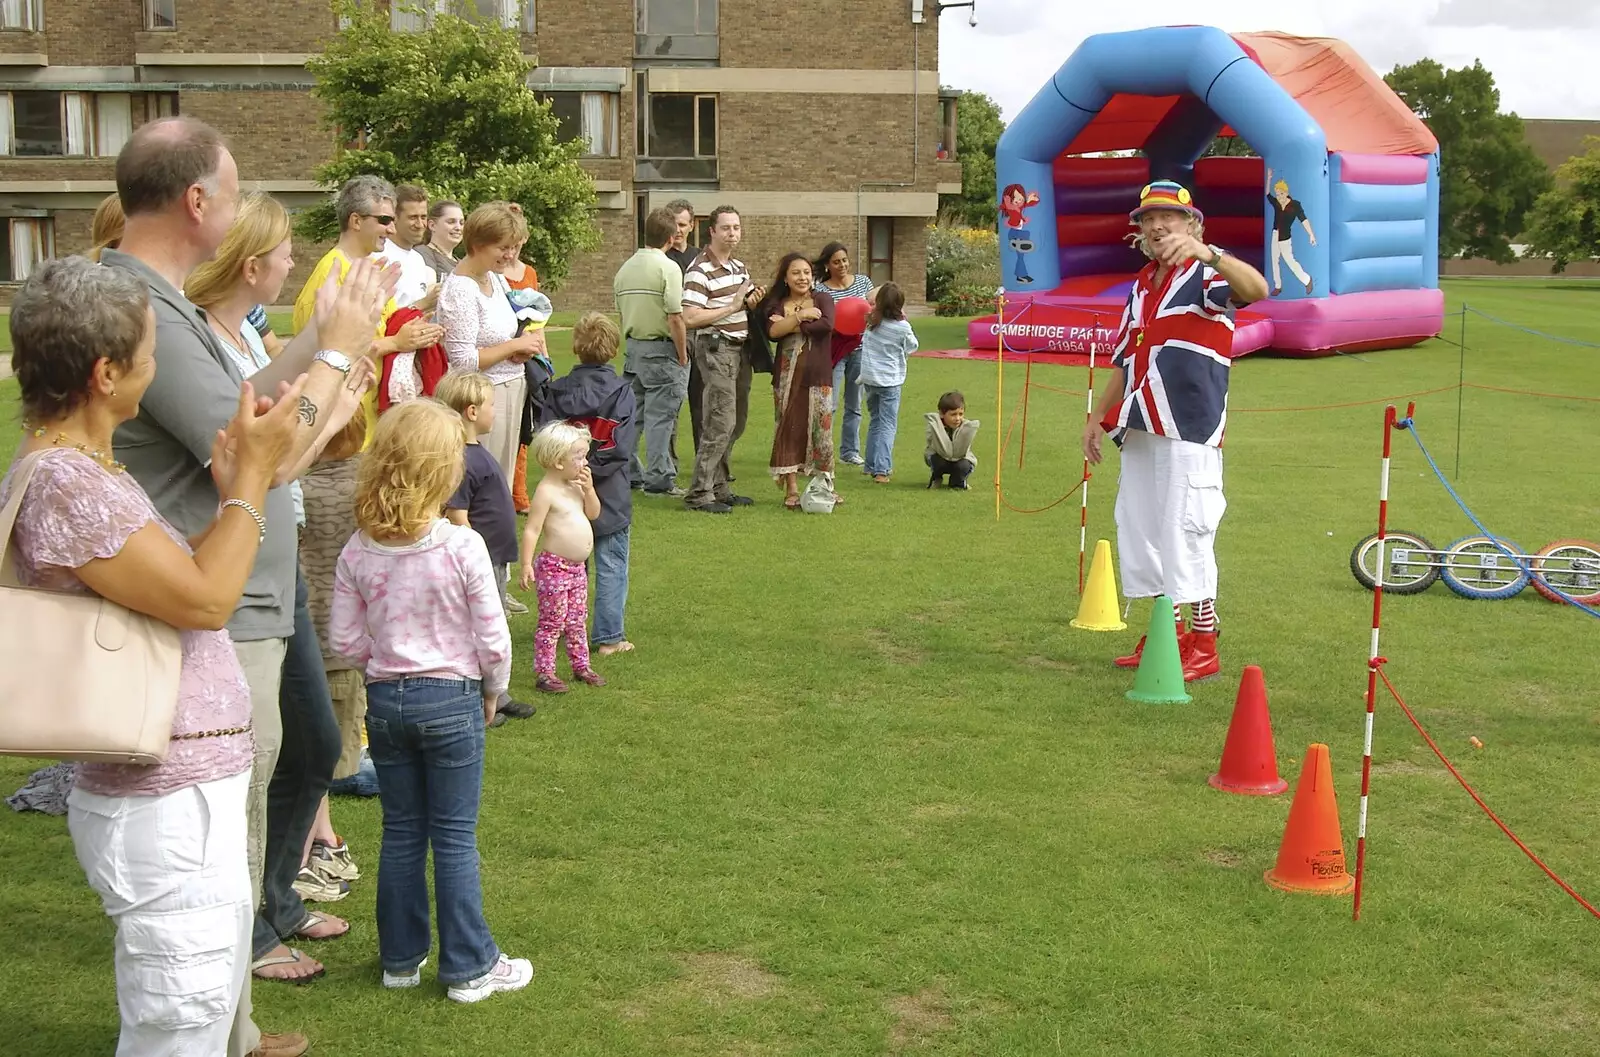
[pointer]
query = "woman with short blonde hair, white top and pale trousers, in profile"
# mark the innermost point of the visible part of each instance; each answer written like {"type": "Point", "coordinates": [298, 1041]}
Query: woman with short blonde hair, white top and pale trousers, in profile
{"type": "Point", "coordinates": [481, 327]}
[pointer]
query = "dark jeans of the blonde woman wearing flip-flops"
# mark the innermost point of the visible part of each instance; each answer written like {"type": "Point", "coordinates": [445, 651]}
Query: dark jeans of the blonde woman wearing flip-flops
{"type": "Point", "coordinates": [306, 762]}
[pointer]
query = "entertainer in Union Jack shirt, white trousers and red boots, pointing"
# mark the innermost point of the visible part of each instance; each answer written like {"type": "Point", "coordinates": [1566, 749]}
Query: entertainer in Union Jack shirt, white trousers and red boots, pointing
{"type": "Point", "coordinates": [1167, 409]}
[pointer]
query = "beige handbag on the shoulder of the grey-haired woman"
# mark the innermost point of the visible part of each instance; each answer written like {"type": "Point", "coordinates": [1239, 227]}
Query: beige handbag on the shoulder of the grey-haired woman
{"type": "Point", "coordinates": [81, 677]}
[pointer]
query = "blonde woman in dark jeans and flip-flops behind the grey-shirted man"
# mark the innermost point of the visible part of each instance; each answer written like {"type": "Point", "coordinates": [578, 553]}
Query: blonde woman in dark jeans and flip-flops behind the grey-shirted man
{"type": "Point", "coordinates": [250, 269]}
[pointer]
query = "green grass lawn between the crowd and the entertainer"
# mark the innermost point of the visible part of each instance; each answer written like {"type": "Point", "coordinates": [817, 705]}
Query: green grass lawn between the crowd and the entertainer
{"type": "Point", "coordinates": [863, 791]}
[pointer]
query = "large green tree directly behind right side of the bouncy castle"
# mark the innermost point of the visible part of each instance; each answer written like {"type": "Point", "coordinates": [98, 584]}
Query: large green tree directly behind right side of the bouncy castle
{"type": "Point", "coordinates": [1489, 174]}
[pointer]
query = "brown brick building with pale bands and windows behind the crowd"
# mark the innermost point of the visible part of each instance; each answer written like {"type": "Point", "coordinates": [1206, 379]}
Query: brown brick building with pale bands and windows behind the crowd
{"type": "Point", "coordinates": [817, 122]}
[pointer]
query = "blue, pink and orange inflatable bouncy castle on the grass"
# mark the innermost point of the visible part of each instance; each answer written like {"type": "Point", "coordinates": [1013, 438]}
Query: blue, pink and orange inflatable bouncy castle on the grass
{"type": "Point", "coordinates": [1340, 210]}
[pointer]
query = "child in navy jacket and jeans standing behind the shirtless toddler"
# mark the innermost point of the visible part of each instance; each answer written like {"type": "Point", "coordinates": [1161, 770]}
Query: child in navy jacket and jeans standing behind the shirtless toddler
{"type": "Point", "coordinates": [594, 397]}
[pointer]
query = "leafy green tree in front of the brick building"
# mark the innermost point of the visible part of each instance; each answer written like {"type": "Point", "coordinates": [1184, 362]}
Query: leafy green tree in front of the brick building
{"type": "Point", "coordinates": [449, 108]}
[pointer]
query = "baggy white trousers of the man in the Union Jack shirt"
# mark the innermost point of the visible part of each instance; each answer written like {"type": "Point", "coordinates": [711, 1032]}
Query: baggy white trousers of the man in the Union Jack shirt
{"type": "Point", "coordinates": [1169, 506]}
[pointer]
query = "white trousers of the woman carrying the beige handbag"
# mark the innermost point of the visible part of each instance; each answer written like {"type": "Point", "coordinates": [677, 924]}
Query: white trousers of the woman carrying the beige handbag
{"type": "Point", "coordinates": [174, 877]}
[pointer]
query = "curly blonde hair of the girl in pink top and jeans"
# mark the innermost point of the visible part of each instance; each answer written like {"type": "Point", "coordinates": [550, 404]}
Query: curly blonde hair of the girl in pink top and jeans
{"type": "Point", "coordinates": [410, 471]}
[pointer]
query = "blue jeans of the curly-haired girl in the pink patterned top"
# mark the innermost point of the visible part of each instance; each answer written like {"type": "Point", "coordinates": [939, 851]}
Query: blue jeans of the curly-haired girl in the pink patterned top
{"type": "Point", "coordinates": [426, 740]}
